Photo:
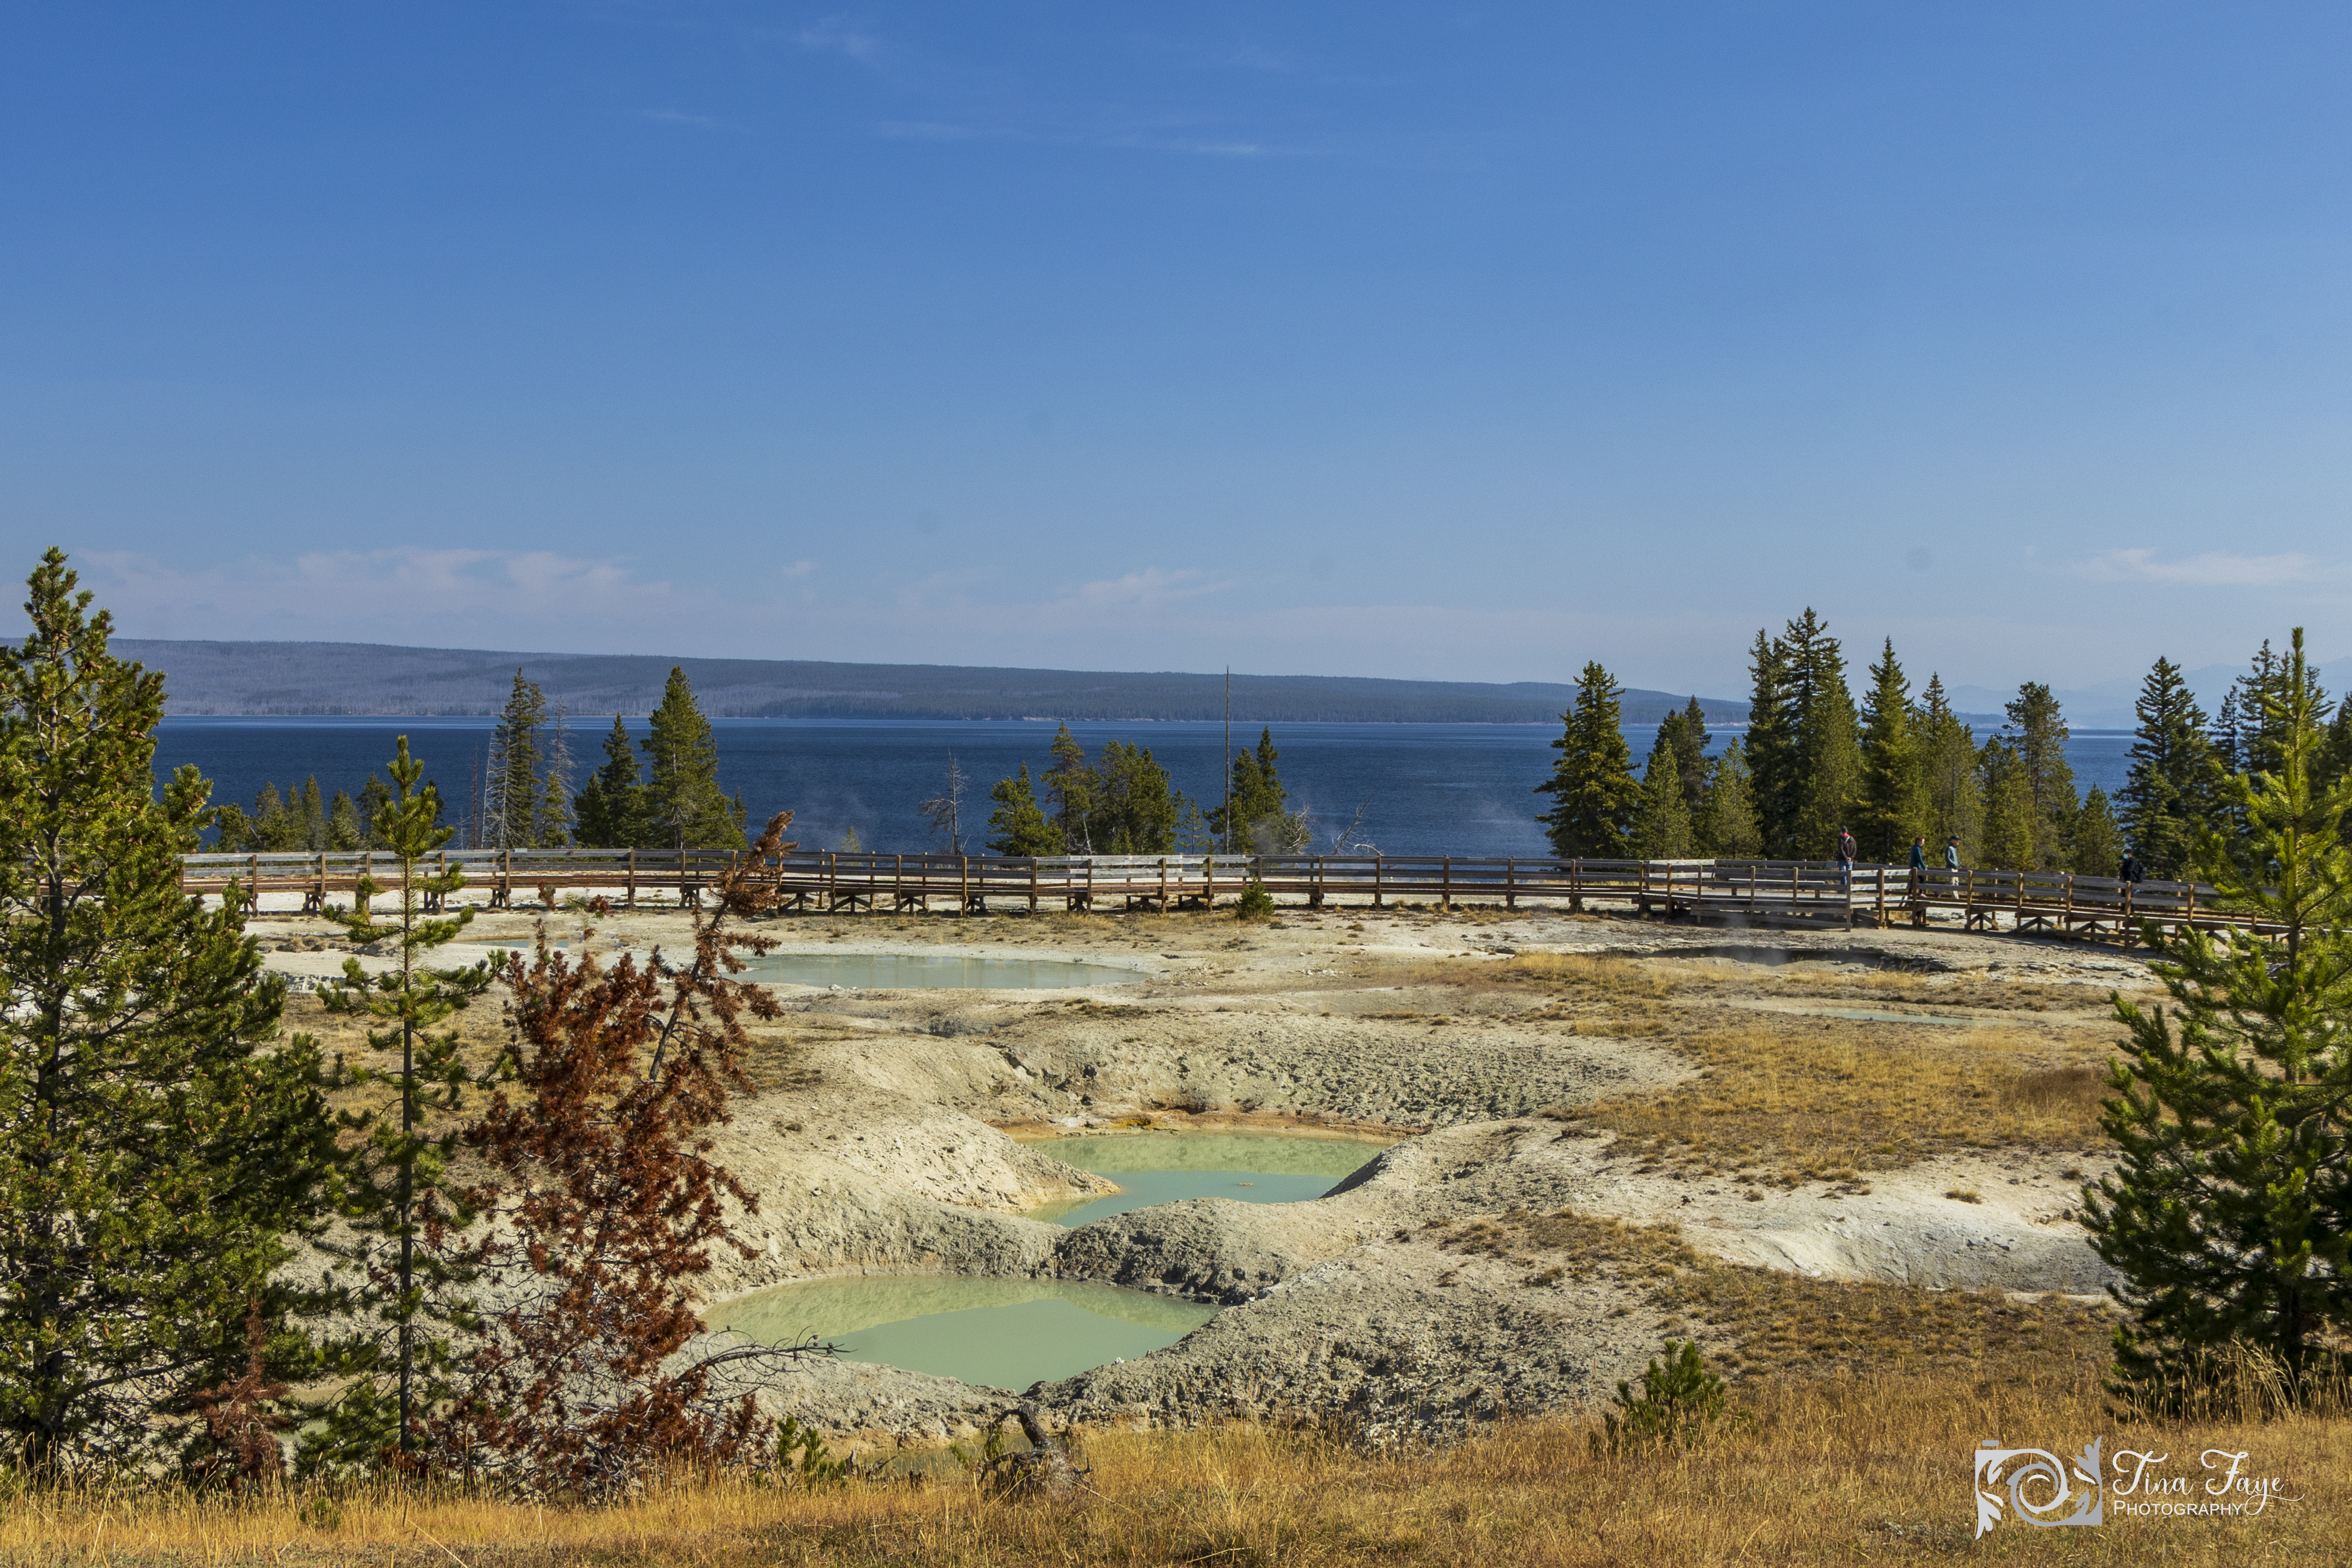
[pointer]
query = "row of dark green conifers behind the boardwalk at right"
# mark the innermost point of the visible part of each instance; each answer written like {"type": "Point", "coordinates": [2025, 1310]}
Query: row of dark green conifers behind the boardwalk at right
{"type": "Point", "coordinates": [1899, 770]}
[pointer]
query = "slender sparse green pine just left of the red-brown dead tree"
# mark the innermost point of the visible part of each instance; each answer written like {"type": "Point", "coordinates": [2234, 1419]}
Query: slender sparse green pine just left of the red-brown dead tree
{"type": "Point", "coordinates": [394, 1367]}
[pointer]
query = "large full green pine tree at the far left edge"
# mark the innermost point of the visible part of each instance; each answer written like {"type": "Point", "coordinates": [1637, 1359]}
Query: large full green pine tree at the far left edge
{"type": "Point", "coordinates": [156, 1137]}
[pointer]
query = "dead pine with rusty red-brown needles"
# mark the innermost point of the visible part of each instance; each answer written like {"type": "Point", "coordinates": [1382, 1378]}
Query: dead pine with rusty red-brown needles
{"type": "Point", "coordinates": [603, 1207]}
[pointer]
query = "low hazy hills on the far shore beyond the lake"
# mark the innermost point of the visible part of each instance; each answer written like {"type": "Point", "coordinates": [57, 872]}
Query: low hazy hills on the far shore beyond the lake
{"type": "Point", "coordinates": [359, 678]}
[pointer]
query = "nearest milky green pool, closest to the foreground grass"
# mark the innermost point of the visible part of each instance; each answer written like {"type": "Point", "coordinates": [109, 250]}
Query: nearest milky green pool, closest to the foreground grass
{"type": "Point", "coordinates": [996, 1332]}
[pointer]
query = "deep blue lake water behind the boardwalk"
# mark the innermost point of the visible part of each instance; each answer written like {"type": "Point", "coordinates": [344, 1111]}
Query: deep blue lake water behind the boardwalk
{"type": "Point", "coordinates": [1426, 789]}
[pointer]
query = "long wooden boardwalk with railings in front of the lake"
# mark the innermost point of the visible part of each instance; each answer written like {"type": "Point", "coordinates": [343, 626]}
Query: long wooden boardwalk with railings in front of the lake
{"type": "Point", "coordinates": [1735, 892]}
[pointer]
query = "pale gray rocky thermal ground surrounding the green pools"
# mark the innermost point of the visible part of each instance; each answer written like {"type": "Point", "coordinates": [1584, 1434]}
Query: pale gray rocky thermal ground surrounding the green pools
{"type": "Point", "coordinates": [883, 1148]}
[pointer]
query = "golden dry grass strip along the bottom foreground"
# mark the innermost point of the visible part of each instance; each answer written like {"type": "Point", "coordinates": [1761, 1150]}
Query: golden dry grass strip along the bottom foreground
{"type": "Point", "coordinates": [1824, 1473]}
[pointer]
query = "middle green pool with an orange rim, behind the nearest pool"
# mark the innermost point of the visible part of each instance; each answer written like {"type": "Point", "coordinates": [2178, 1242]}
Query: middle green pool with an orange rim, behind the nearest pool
{"type": "Point", "coordinates": [1172, 1167]}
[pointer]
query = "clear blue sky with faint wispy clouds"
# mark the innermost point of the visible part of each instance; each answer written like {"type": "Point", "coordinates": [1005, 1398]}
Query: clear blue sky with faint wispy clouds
{"type": "Point", "coordinates": [1452, 340]}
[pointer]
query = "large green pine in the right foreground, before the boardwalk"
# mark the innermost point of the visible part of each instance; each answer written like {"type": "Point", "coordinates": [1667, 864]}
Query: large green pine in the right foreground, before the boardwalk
{"type": "Point", "coordinates": [2229, 1214]}
